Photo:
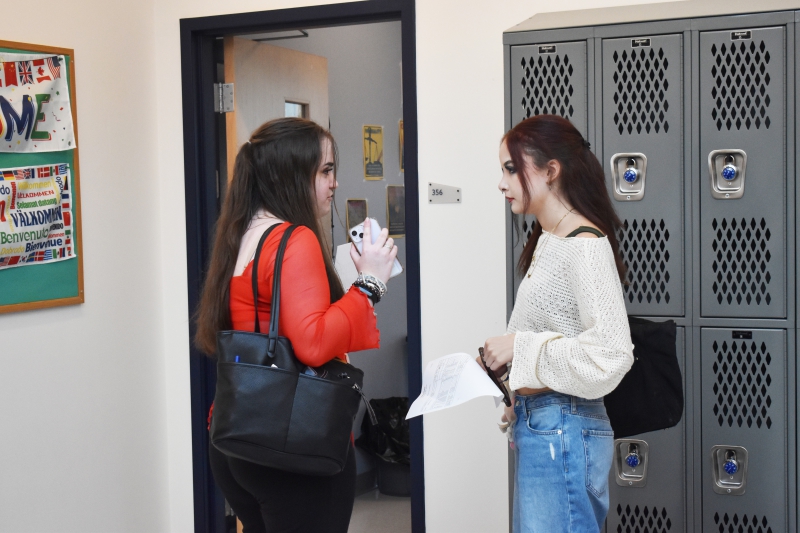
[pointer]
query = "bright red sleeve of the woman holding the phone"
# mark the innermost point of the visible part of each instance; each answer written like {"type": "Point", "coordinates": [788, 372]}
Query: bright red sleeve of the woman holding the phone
{"type": "Point", "coordinates": [318, 329]}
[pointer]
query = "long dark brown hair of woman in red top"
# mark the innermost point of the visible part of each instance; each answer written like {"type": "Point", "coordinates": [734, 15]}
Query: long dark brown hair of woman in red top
{"type": "Point", "coordinates": [274, 171]}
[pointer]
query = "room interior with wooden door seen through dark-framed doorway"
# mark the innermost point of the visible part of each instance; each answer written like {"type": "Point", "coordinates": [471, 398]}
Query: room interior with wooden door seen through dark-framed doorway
{"type": "Point", "coordinates": [348, 78]}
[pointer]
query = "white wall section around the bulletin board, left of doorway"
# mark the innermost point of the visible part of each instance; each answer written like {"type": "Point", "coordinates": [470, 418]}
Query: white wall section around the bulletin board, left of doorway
{"type": "Point", "coordinates": [83, 418]}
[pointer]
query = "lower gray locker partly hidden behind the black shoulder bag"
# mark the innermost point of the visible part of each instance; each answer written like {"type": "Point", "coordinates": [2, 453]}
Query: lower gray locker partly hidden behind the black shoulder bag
{"type": "Point", "coordinates": [657, 502]}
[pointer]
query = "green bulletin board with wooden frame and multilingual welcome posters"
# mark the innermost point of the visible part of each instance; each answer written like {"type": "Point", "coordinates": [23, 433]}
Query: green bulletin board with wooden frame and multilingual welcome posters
{"type": "Point", "coordinates": [54, 281]}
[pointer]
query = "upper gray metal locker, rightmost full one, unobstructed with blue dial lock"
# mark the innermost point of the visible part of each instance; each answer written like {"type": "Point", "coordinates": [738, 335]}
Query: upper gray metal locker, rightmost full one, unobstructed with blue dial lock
{"type": "Point", "coordinates": [743, 129]}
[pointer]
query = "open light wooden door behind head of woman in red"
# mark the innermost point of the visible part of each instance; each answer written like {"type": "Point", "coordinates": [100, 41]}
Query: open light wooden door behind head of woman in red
{"type": "Point", "coordinates": [272, 82]}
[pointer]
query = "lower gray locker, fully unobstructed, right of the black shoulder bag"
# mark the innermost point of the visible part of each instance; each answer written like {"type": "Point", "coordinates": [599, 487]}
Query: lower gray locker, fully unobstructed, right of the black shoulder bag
{"type": "Point", "coordinates": [744, 411]}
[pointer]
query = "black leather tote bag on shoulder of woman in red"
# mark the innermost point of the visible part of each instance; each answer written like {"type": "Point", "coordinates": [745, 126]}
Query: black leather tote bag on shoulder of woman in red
{"type": "Point", "coordinates": [271, 409]}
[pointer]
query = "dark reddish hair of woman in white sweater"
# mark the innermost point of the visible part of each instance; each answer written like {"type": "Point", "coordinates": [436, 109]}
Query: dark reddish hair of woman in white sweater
{"type": "Point", "coordinates": [547, 137]}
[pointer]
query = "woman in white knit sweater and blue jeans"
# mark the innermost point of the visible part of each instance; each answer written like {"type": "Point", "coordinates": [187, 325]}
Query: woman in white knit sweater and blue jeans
{"type": "Point", "coordinates": [568, 342]}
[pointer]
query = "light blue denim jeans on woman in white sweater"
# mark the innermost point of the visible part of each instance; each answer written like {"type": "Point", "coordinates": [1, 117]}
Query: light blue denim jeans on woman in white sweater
{"type": "Point", "coordinates": [563, 447]}
